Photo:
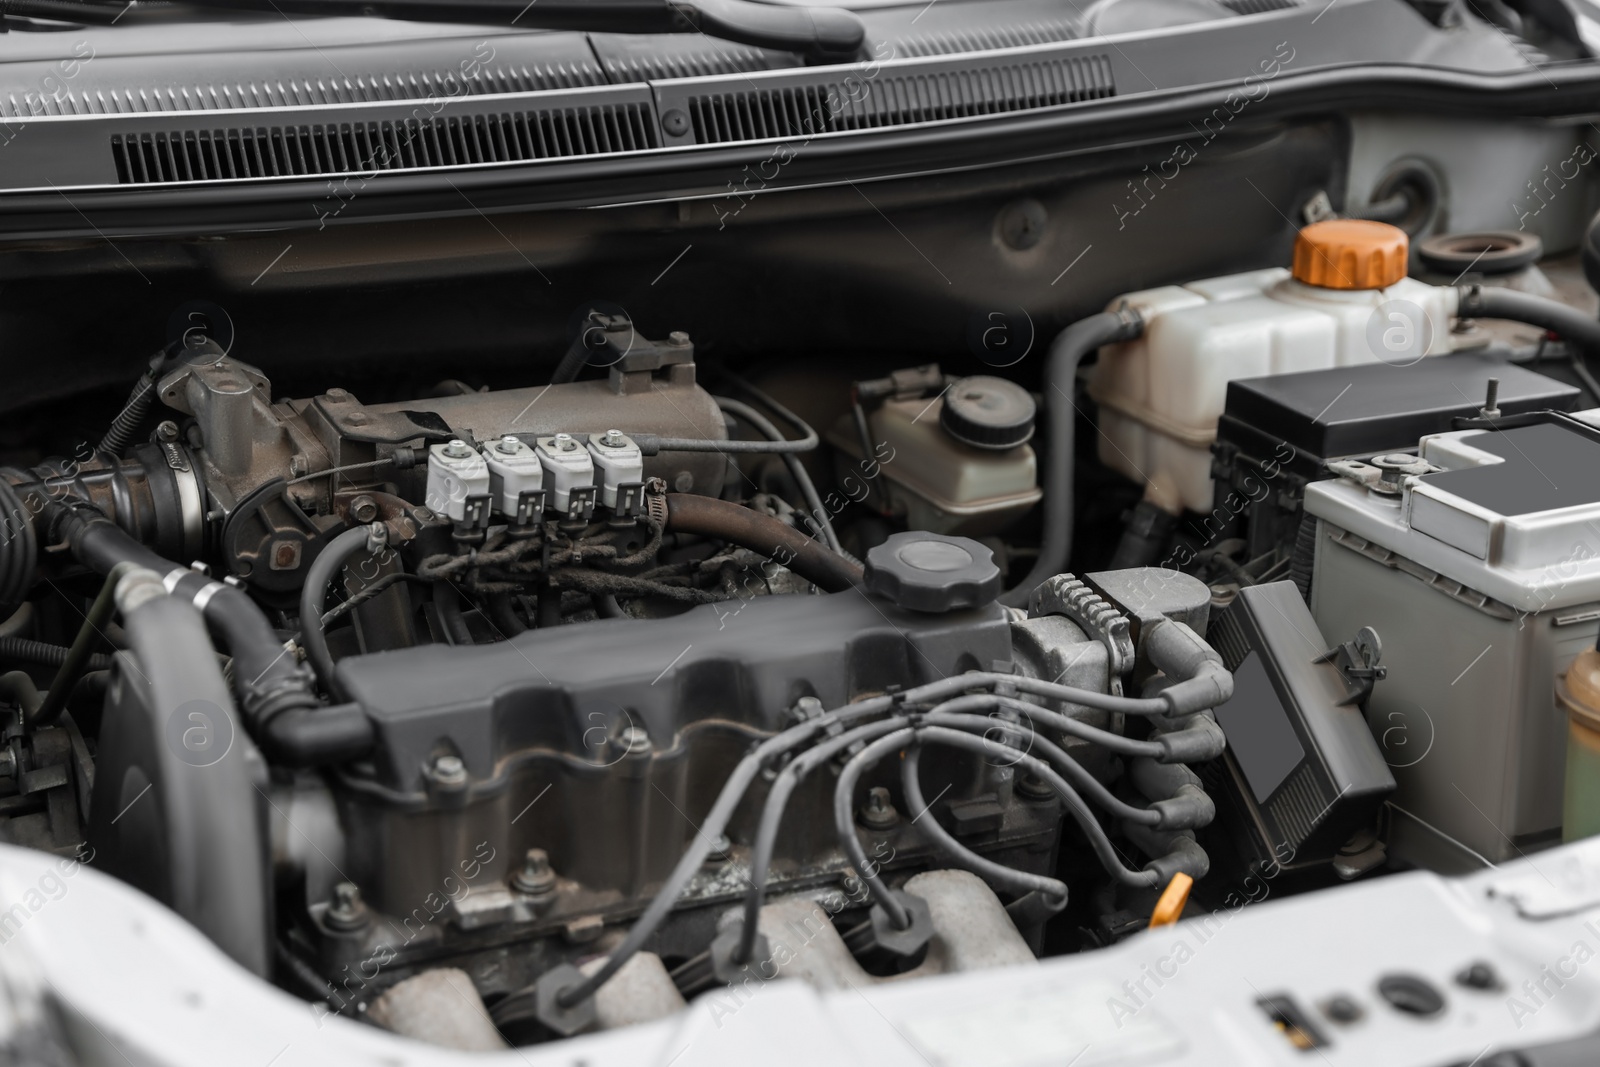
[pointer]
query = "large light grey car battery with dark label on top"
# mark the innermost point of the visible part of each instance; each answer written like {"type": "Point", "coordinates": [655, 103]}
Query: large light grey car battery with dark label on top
{"type": "Point", "coordinates": [1478, 562]}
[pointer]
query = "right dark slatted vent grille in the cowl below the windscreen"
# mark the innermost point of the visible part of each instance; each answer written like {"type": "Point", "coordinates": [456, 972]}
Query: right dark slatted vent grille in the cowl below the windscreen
{"type": "Point", "coordinates": [900, 100]}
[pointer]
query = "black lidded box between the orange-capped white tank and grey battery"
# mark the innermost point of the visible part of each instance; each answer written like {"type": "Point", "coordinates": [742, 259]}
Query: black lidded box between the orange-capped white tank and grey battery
{"type": "Point", "coordinates": [1279, 433]}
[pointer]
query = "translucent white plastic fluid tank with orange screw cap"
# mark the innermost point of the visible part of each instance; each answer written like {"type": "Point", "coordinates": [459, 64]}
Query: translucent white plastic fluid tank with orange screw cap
{"type": "Point", "coordinates": [1348, 300]}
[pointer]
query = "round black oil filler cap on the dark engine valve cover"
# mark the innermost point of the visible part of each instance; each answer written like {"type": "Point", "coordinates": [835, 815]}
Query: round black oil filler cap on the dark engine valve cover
{"type": "Point", "coordinates": [927, 572]}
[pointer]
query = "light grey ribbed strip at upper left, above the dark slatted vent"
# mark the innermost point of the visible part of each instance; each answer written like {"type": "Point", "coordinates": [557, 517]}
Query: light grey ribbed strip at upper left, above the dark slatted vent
{"type": "Point", "coordinates": [303, 92]}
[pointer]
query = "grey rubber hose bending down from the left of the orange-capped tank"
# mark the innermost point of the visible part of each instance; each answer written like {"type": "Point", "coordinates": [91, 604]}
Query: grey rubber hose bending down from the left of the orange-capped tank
{"type": "Point", "coordinates": [1066, 353]}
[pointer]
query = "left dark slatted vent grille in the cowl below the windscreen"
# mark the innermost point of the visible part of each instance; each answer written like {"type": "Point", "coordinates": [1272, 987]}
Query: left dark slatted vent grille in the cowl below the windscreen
{"type": "Point", "coordinates": [378, 146]}
